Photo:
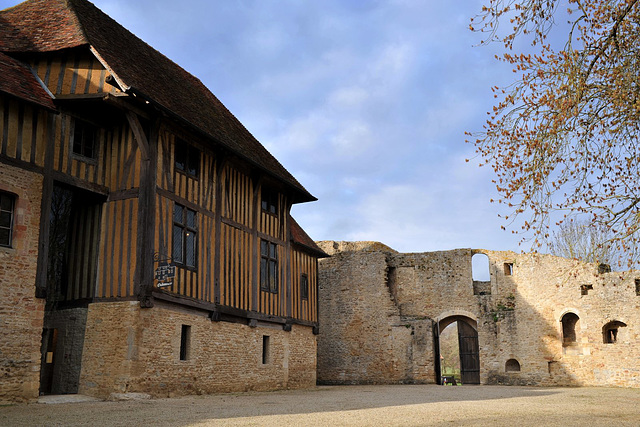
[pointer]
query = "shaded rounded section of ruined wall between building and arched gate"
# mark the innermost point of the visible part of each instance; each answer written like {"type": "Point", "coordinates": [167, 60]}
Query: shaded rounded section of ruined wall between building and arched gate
{"type": "Point", "coordinates": [363, 338]}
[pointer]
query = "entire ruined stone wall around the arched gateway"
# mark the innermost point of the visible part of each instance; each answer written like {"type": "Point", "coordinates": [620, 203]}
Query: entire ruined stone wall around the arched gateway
{"type": "Point", "coordinates": [379, 309]}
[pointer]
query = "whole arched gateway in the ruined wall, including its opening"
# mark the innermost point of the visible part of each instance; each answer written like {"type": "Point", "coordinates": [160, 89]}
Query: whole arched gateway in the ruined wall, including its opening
{"type": "Point", "coordinates": [467, 351]}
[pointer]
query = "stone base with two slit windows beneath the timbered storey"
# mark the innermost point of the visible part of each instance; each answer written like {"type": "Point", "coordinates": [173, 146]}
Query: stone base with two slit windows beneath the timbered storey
{"type": "Point", "coordinates": [129, 349]}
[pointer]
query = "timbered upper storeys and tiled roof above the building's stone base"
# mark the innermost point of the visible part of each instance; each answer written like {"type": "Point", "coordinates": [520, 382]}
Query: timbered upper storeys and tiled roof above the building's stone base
{"type": "Point", "coordinates": [98, 73]}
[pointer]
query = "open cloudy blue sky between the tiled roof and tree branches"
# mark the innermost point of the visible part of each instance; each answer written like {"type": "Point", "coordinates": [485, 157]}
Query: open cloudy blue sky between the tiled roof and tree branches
{"type": "Point", "coordinates": [364, 102]}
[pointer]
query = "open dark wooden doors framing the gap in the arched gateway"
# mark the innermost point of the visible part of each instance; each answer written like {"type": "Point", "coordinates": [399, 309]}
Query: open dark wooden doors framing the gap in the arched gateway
{"type": "Point", "coordinates": [468, 347]}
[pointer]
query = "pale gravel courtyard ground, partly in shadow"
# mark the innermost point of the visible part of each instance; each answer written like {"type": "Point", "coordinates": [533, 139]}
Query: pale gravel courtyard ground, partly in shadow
{"type": "Point", "coordinates": [395, 405]}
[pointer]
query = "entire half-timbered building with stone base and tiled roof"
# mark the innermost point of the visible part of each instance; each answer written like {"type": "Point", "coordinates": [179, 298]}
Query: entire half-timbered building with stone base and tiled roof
{"type": "Point", "coordinates": [146, 242]}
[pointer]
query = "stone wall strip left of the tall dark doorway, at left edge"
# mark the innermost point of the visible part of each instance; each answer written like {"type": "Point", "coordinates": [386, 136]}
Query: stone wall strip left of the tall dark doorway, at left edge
{"type": "Point", "coordinates": [21, 314]}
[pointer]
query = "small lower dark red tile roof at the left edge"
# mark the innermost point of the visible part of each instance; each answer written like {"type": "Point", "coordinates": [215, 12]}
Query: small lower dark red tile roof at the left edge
{"type": "Point", "coordinates": [18, 80]}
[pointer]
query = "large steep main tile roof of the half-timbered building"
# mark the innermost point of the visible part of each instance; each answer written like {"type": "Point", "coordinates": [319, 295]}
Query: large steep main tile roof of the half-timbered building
{"type": "Point", "coordinates": [49, 25]}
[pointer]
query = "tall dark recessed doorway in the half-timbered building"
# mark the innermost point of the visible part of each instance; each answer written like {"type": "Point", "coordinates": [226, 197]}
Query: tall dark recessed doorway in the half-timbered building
{"type": "Point", "coordinates": [72, 258]}
